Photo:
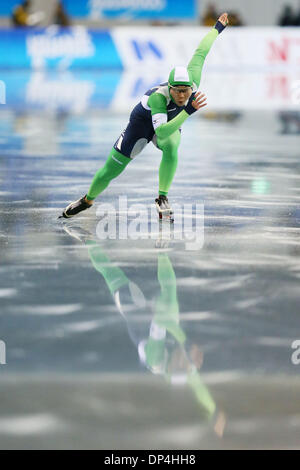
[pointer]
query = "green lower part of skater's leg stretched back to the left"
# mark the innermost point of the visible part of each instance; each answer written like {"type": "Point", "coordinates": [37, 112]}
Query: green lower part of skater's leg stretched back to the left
{"type": "Point", "coordinates": [115, 164]}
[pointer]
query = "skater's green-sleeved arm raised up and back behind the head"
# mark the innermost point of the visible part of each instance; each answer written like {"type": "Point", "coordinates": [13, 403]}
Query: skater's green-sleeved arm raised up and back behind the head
{"type": "Point", "coordinates": [196, 63]}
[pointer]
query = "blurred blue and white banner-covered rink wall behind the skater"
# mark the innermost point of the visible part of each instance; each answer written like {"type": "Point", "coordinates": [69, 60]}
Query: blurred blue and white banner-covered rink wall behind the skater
{"type": "Point", "coordinates": [153, 47]}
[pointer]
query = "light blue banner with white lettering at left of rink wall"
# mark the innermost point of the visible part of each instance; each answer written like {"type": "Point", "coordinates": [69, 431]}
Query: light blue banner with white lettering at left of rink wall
{"type": "Point", "coordinates": [58, 48]}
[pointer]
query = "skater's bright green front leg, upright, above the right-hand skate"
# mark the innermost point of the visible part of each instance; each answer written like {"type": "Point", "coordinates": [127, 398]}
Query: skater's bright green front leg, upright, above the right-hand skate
{"type": "Point", "coordinates": [167, 169]}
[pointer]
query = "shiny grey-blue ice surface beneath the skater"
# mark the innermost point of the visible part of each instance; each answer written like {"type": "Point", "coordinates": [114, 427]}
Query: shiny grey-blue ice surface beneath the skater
{"type": "Point", "coordinates": [144, 343]}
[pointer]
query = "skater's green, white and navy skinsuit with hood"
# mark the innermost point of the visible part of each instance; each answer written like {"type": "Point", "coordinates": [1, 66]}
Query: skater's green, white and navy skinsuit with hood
{"type": "Point", "coordinates": [156, 118]}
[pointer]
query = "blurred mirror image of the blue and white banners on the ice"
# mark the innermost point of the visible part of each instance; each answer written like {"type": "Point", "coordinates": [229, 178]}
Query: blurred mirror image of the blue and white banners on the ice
{"type": "Point", "coordinates": [78, 91]}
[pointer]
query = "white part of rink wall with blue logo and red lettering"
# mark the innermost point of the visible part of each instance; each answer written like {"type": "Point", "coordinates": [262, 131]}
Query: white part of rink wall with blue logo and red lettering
{"type": "Point", "coordinates": [252, 49]}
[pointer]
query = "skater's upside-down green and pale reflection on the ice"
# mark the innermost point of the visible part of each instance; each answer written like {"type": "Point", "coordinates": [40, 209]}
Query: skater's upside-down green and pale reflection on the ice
{"type": "Point", "coordinates": [160, 341]}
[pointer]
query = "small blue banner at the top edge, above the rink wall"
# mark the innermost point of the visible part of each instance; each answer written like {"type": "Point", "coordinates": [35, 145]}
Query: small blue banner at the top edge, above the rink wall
{"type": "Point", "coordinates": [133, 9]}
